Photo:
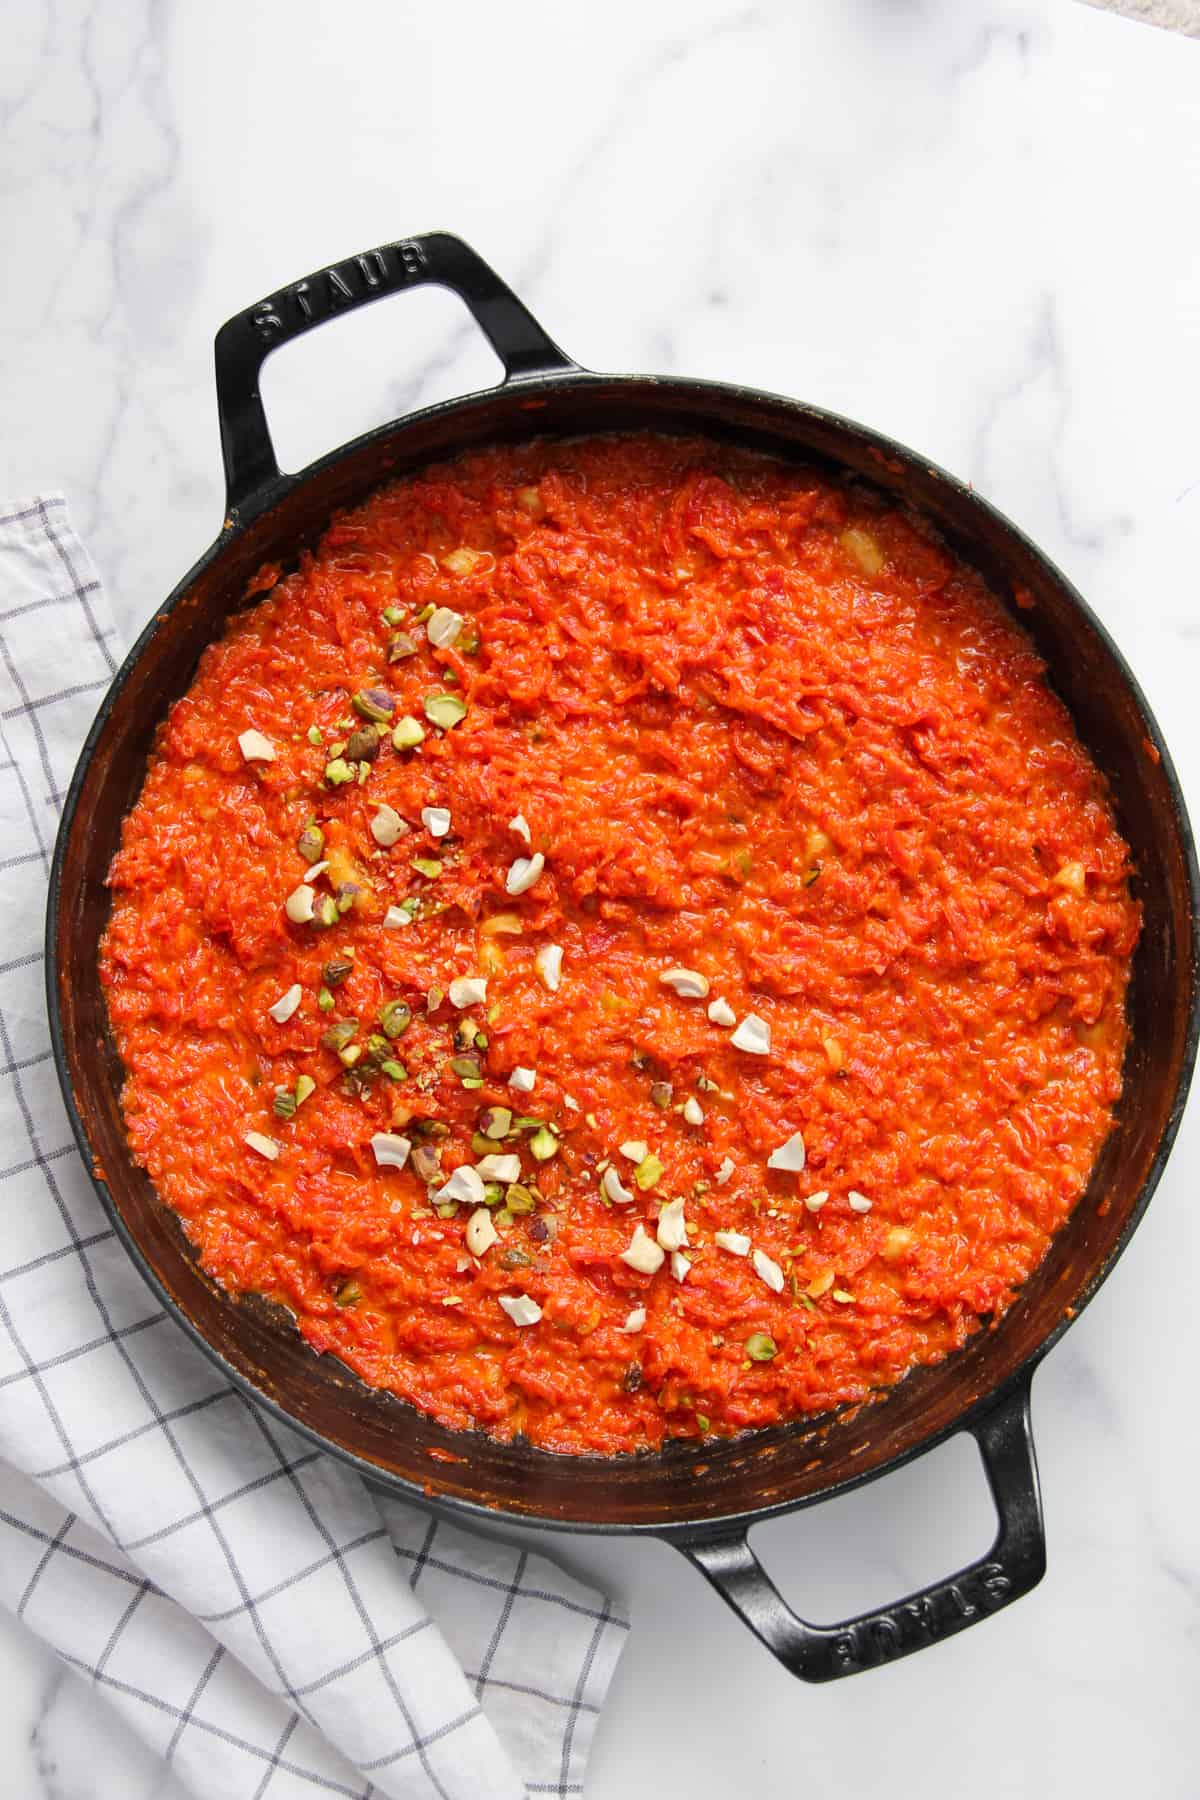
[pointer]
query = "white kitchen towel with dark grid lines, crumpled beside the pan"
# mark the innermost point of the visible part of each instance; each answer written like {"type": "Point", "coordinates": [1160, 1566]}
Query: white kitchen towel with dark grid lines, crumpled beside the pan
{"type": "Point", "coordinates": [267, 1623]}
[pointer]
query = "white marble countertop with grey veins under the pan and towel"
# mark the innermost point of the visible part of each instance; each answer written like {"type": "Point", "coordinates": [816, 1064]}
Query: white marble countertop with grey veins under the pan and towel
{"type": "Point", "coordinates": [972, 226]}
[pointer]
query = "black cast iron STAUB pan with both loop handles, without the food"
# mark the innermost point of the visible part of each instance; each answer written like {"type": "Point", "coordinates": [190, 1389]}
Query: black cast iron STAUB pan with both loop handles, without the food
{"type": "Point", "coordinates": [699, 1497]}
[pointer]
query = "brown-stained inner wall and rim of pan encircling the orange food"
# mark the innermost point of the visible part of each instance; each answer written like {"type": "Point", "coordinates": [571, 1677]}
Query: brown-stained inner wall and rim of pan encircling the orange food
{"type": "Point", "coordinates": [773, 1470]}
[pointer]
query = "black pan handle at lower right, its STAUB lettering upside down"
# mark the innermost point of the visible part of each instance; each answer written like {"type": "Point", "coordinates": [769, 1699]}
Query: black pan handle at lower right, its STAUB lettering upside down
{"type": "Point", "coordinates": [1014, 1565]}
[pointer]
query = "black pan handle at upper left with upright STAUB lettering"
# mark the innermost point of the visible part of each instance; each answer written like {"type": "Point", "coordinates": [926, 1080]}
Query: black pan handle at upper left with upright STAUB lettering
{"type": "Point", "coordinates": [249, 337]}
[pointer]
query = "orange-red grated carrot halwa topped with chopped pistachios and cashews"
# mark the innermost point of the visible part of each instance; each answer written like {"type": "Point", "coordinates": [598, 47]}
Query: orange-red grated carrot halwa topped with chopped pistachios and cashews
{"type": "Point", "coordinates": [762, 730]}
